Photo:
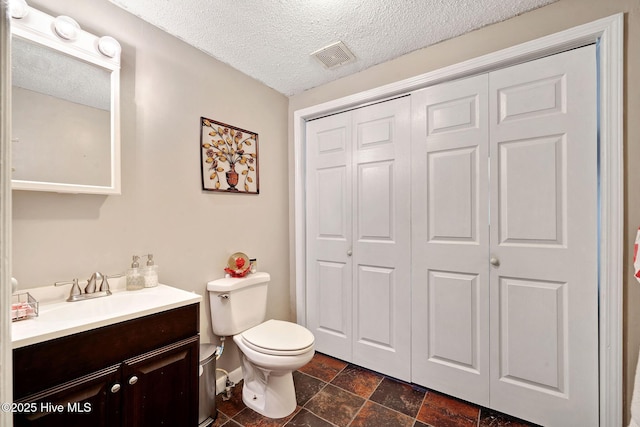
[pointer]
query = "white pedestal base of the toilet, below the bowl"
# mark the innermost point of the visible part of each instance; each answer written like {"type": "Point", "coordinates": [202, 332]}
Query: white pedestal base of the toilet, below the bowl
{"type": "Point", "coordinates": [269, 393]}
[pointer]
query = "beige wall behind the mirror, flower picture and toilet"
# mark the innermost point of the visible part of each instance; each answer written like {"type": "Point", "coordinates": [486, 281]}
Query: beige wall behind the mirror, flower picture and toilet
{"type": "Point", "coordinates": [166, 87]}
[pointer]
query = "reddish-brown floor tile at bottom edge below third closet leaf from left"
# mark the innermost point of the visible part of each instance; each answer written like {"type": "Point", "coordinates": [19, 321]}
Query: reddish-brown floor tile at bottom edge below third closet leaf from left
{"type": "Point", "coordinates": [443, 411]}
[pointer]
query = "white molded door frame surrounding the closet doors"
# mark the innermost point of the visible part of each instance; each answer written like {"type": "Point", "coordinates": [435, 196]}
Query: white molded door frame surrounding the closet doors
{"type": "Point", "coordinates": [608, 33]}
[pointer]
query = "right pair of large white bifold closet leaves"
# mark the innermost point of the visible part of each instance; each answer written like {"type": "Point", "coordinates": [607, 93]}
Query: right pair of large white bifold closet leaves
{"type": "Point", "coordinates": [505, 239]}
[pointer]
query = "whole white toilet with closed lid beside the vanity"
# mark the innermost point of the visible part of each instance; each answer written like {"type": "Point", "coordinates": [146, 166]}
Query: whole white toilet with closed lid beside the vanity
{"type": "Point", "coordinates": [271, 350]}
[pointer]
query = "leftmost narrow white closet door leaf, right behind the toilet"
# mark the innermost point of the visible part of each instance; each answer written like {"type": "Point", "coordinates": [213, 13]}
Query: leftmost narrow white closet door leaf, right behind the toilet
{"type": "Point", "coordinates": [329, 234]}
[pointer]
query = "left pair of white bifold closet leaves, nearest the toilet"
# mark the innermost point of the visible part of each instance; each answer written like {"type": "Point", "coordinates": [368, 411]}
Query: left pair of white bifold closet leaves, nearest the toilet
{"type": "Point", "coordinates": [358, 236]}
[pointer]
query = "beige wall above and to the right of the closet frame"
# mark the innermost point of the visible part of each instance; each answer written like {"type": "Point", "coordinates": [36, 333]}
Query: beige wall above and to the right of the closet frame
{"type": "Point", "coordinates": [547, 20]}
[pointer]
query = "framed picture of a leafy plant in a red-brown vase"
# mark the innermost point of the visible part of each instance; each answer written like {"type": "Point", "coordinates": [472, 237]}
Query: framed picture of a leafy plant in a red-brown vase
{"type": "Point", "coordinates": [229, 158]}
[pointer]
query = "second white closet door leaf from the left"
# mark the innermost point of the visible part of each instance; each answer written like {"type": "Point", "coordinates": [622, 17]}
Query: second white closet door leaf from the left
{"type": "Point", "coordinates": [382, 237]}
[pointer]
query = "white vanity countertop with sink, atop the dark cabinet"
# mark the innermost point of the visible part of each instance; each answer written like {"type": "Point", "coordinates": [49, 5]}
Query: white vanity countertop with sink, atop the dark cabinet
{"type": "Point", "coordinates": [58, 318]}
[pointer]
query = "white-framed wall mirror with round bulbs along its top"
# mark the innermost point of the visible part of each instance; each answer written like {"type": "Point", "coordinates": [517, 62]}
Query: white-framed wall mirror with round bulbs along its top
{"type": "Point", "coordinates": [65, 94]}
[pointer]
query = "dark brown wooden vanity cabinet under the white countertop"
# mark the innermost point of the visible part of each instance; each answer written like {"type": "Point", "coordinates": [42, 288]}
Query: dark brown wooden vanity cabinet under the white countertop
{"type": "Point", "coordinates": [141, 372]}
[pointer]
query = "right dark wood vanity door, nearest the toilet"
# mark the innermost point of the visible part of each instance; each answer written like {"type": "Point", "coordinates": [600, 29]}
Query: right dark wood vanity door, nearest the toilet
{"type": "Point", "coordinates": [161, 387]}
